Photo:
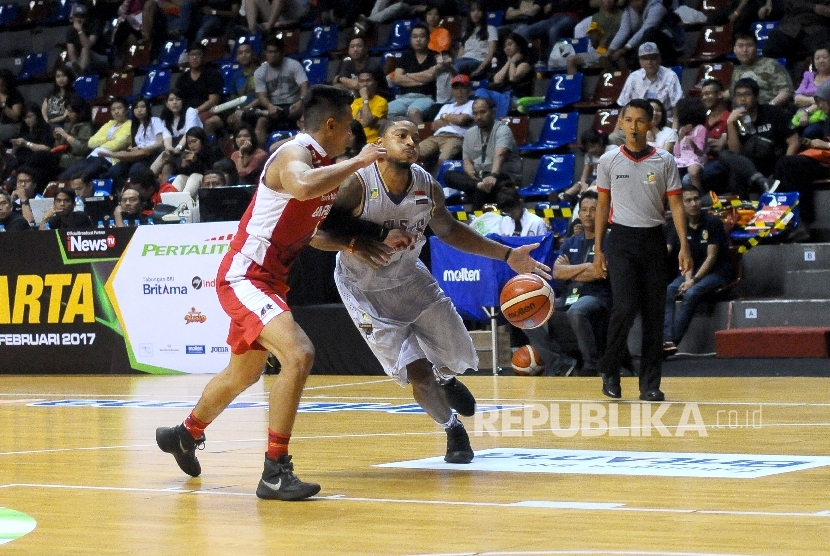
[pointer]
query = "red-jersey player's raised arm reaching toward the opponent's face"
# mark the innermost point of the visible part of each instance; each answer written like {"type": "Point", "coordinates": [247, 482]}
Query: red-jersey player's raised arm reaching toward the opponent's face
{"type": "Point", "coordinates": [293, 172]}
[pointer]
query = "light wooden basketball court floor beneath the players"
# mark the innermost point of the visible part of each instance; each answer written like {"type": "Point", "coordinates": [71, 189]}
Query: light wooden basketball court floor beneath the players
{"type": "Point", "coordinates": [78, 455]}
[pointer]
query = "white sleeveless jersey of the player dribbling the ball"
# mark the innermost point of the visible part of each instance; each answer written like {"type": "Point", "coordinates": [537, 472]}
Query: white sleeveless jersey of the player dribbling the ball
{"type": "Point", "coordinates": [412, 212]}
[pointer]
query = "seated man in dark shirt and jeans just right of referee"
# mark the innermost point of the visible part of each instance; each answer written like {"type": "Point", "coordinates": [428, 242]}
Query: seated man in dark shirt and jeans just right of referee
{"type": "Point", "coordinates": [711, 267]}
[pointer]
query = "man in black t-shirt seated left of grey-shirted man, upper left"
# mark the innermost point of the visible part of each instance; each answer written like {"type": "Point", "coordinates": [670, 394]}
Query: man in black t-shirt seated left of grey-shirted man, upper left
{"type": "Point", "coordinates": [201, 87]}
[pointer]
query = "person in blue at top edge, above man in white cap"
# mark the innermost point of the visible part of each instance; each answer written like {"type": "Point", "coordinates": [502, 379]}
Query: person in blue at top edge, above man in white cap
{"type": "Point", "coordinates": [645, 21]}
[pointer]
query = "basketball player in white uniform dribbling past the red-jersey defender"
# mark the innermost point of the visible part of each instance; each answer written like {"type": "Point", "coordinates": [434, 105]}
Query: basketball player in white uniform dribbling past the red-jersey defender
{"type": "Point", "coordinates": [408, 322]}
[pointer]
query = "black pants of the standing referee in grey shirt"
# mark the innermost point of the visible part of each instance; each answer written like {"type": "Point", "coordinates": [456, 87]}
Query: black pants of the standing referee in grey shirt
{"type": "Point", "coordinates": [637, 270]}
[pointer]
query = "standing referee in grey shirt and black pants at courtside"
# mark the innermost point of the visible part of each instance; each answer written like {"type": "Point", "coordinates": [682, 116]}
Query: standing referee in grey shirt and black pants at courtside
{"type": "Point", "coordinates": [633, 183]}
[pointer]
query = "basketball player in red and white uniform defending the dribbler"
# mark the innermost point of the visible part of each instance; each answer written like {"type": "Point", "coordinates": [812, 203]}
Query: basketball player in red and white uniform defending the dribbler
{"type": "Point", "coordinates": [296, 190]}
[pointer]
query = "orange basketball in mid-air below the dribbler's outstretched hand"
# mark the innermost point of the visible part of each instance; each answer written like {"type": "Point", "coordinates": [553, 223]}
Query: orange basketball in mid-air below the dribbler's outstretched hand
{"type": "Point", "coordinates": [527, 301]}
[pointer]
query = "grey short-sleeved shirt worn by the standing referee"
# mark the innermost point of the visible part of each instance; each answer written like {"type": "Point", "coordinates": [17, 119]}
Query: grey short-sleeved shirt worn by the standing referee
{"type": "Point", "coordinates": [638, 187]}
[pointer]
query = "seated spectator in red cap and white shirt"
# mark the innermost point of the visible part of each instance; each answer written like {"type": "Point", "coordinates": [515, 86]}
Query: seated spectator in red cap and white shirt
{"type": "Point", "coordinates": [450, 125]}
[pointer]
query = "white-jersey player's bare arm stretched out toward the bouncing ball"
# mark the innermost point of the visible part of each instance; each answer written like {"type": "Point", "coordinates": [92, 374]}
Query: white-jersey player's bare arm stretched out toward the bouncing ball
{"type": "Point", "coordinates": [462, 237]}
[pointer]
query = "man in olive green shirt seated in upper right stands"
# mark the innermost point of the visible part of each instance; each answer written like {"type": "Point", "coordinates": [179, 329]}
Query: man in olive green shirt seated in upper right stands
{"type": "Point", "coordinates": [774, 82]}
